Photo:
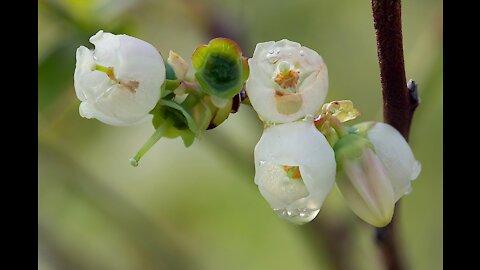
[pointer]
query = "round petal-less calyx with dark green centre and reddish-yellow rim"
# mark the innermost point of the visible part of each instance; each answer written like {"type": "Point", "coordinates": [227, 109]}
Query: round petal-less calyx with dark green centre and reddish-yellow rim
{"type": "Point", "coordinates": [221, 70]}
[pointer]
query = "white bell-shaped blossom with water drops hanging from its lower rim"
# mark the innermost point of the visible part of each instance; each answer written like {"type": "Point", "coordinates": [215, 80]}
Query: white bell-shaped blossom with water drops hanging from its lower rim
{"type": "Point", "coordinates": [294, 170]}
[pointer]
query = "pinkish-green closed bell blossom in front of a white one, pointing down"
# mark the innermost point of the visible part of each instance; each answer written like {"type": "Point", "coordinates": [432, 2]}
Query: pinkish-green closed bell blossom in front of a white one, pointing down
{"type": "Point", "coordinates": [363, 180]}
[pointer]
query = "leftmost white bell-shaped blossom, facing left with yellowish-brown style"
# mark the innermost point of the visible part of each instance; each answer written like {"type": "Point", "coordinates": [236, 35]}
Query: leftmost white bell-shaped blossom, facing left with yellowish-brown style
{"type": "Point", "coordinates": [118, 82]}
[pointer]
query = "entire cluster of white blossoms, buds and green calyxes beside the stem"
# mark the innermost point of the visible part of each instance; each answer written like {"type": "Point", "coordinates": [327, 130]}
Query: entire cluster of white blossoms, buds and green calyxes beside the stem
{"type": "Point", "coordinates": [305, 147]}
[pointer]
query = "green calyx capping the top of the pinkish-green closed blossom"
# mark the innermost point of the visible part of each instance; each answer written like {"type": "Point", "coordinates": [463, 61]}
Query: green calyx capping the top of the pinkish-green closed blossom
{"type": "Point", "coordinates": [349, 147]}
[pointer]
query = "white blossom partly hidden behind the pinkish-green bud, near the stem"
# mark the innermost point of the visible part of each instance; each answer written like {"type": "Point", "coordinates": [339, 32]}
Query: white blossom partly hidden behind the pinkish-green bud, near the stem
{"type": "Point", "coordinates": [396, 155]}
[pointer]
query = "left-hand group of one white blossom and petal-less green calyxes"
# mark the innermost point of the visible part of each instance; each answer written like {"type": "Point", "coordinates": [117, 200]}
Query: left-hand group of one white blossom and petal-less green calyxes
{"type": "Point", "coordinates": [124, 81]}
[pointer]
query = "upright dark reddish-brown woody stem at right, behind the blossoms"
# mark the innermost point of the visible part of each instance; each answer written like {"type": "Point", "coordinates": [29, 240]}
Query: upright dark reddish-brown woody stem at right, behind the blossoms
{"type": "Point", "coordinates": [399, 102]}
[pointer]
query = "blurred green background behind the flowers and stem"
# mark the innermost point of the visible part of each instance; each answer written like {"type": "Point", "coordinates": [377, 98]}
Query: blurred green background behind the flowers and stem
{"type": "Point", "coordinates": [198, 208]}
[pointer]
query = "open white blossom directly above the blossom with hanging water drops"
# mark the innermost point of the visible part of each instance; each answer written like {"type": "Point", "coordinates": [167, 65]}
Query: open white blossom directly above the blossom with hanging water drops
{"type": "Point", "coordinates": [286, 82]}
